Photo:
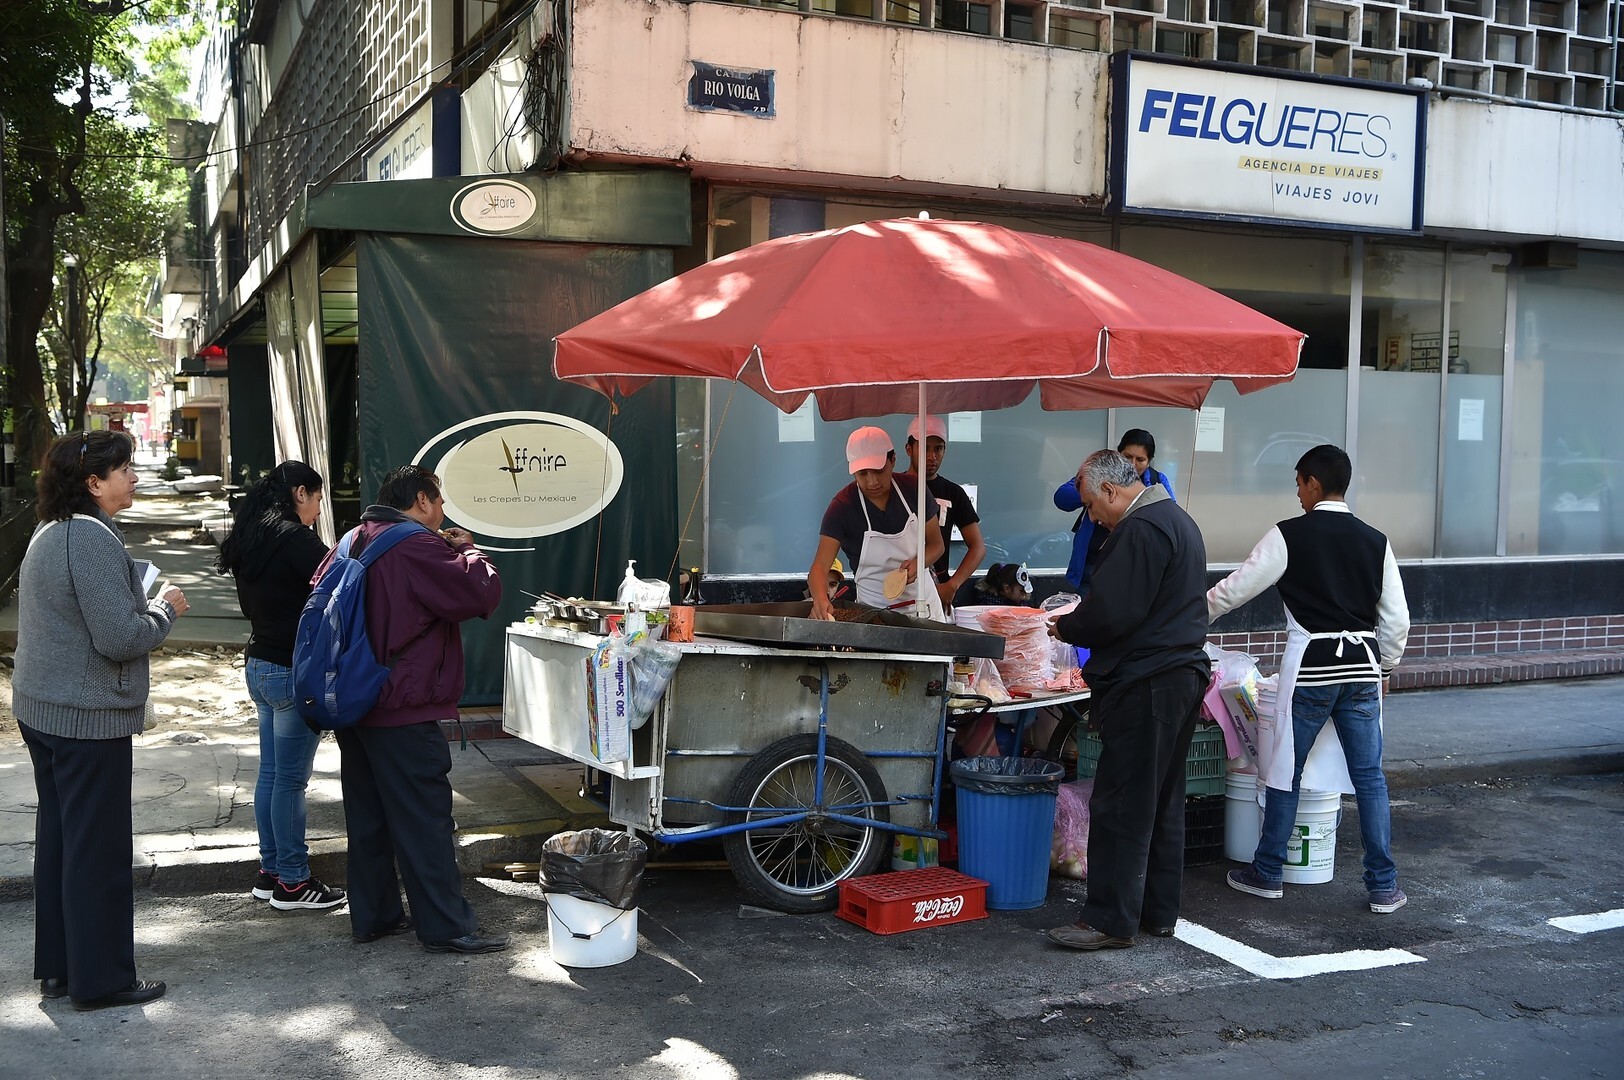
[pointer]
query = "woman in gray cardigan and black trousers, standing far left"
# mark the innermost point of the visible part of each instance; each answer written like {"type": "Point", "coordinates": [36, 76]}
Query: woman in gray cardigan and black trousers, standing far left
{"type": "Point", "coordinates": [85, 629]}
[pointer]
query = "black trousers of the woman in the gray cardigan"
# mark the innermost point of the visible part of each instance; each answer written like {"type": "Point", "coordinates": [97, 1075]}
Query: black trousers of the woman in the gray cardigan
{"type": "Point", "coordinates": [84, 884]}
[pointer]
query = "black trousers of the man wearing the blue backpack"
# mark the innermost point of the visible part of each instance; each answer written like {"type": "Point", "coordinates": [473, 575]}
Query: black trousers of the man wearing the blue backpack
{"type": "Point", "coordinates": [399, 813]}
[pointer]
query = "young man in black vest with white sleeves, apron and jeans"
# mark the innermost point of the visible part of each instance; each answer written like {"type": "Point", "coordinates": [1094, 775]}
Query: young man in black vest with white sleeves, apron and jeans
{"type": "Point", "coordinates": [1347, 624]}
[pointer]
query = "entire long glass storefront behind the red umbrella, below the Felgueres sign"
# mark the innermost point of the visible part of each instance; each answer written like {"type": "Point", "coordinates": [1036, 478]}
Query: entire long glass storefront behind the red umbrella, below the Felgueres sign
{"type": "Point", "coordinates": [1428, 394]}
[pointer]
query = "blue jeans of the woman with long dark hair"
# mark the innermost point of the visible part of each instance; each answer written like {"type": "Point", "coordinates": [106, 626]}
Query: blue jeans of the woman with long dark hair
{"type": "Point", "coordinates": [287, 756]}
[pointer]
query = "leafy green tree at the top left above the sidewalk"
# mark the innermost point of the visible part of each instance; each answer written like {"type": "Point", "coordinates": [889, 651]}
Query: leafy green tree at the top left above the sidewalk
{"type": "Point", "coordinates": [87, 173]}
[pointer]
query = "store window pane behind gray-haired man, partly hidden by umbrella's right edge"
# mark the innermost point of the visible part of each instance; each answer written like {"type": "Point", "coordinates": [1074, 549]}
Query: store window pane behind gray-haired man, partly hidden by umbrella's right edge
{"type": "Point", "coordinates": [1240, 480]}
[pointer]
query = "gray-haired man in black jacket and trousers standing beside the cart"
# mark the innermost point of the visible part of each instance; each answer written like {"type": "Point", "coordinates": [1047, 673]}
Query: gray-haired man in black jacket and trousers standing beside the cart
{"type": "Point", "coordinates": [1146, 628]}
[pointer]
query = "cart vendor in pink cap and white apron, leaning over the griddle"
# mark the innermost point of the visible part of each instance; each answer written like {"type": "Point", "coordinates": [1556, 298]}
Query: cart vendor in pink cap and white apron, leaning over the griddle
{"type": "Point", "coordinates": [875, 521]}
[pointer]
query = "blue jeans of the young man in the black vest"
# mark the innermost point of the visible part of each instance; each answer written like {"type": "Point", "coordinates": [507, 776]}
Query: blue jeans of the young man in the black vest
{"type": "Point", "coordinates": [1357, 711]}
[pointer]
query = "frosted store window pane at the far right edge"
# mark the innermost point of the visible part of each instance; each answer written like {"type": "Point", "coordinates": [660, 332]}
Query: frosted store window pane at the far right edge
{"type": "Point", "coordinates": [1568, 441]}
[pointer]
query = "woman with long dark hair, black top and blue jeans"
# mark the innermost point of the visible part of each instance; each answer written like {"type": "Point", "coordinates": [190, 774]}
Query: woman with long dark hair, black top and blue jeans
{"type": "Point", "coordinates": [274, 553]}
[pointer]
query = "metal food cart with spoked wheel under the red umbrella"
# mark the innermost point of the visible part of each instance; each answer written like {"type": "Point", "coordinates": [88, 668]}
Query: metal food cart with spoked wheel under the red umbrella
{"type": "Point", "coordinates": [801, 745]}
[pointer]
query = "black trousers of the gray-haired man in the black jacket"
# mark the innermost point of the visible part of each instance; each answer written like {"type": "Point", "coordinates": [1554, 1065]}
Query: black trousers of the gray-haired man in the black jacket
{"type": "Point", "coordinates": [1136, 816]}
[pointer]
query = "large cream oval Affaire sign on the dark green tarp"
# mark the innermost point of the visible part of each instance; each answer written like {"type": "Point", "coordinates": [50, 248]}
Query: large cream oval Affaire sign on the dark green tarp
{"type": "Point", "coordinates": [525, 473]}
